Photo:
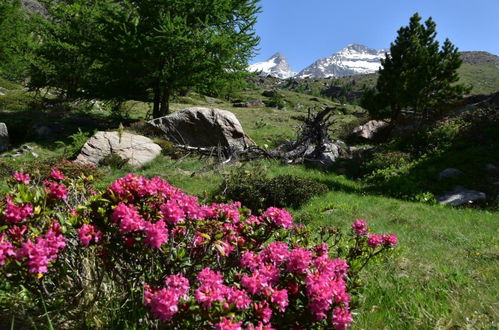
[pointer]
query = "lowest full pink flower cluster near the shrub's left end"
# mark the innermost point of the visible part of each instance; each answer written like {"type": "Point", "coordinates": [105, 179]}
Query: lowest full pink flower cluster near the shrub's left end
{"type": "Point", "coordinates": [43, 250]}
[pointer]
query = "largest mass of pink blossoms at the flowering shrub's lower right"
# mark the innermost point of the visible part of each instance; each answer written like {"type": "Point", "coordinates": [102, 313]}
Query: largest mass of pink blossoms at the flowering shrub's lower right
{"type": "Point", "coordinates": [325, 283]}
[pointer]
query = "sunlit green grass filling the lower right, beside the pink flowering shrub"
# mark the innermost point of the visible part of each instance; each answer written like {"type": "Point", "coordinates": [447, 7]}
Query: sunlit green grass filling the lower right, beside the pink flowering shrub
{"type": "Point", "coordinates": [445, 271]}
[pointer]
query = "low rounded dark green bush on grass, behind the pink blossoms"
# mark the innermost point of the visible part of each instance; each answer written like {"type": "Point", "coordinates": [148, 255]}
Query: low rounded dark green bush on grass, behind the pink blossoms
{"type": "Point", "coordinates": [256, 191]}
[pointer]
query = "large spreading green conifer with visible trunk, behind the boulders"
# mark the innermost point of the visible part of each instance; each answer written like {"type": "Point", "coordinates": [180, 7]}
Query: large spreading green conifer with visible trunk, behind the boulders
{"type": "Point", "coordinates": [165, 47]}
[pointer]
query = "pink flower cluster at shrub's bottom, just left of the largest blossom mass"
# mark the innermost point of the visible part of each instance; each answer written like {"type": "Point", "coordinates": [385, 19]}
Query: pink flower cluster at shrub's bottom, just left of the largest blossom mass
{"type": "Point", "coordinates": [164, 302]}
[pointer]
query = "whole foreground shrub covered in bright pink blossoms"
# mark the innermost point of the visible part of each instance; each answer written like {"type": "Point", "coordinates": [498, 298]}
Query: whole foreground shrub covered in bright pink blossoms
{"type": "Point", "coordinates": [167, 257]}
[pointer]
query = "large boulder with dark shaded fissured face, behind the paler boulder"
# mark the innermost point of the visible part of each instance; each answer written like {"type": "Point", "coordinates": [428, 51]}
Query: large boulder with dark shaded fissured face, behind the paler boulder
{"type": "Point", "coordinates": [203, 127]}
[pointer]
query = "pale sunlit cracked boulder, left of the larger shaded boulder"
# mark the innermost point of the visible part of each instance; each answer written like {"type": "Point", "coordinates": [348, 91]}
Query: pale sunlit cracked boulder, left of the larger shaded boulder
{"type": "Point", "coordinates": [136, 149]}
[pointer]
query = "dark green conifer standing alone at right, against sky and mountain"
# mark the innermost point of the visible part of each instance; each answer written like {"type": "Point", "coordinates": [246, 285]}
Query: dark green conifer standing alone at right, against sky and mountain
{"type": "Point", "coordinates": [416, 74]}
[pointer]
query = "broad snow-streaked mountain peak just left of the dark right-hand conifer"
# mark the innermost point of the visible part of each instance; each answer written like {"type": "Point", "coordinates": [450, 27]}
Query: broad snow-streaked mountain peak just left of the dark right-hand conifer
{"type": "Point", "coordinates": [351, 60]}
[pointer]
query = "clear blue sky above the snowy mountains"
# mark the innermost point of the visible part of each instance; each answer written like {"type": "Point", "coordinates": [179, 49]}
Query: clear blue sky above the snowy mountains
{"type": "Point", "coordinates": [306, 30]}
